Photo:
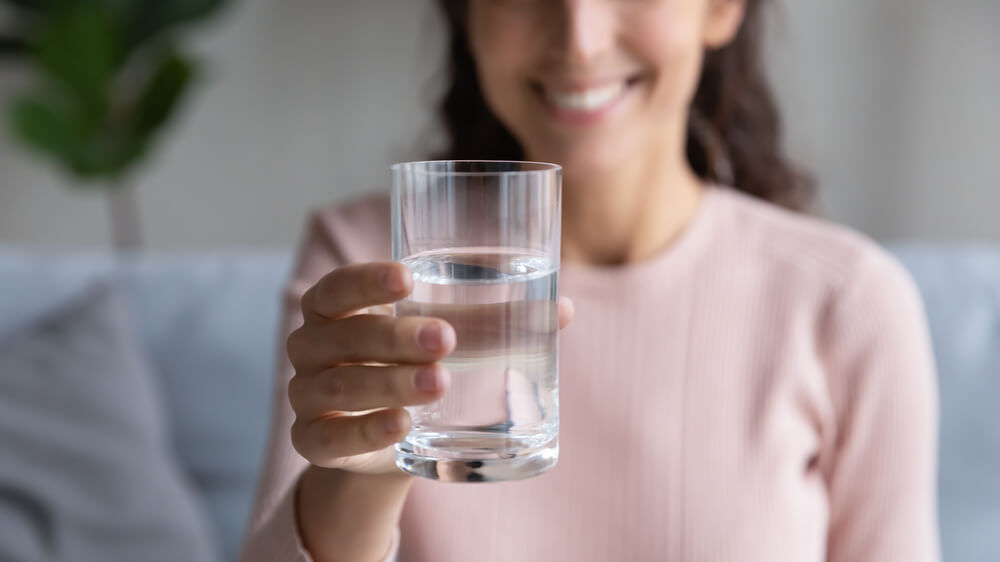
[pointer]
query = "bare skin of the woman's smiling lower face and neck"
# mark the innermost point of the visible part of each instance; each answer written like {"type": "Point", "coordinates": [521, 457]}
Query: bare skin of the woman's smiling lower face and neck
{"type": "Point", "coordinates": [627, 171]}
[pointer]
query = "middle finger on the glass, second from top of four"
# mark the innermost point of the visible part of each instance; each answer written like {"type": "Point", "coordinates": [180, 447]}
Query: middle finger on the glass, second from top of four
{"type": "Point", "coordinates": [368, 338]}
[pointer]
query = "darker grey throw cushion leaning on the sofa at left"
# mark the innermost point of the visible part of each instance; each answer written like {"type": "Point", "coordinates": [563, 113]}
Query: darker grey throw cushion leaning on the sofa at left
{"type": "Point", "coordinates": [86, 471]}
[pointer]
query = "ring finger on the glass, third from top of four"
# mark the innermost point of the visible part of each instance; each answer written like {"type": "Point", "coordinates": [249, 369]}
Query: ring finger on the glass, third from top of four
{"type": "Point", "coordinates": [357, 388]}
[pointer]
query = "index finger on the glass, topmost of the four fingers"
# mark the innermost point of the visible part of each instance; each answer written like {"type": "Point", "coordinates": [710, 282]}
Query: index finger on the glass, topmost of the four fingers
{"type": "Point", "coordinates": [349, 289]}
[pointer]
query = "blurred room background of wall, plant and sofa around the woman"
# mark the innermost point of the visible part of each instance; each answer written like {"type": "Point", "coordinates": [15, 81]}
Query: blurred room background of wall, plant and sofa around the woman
{"type": "Point", "coordinates": [135, 389]}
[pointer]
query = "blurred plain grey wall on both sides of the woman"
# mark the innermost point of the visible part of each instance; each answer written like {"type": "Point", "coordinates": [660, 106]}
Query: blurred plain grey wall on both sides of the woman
{"type": "Point", "coordinates": [893, 105]}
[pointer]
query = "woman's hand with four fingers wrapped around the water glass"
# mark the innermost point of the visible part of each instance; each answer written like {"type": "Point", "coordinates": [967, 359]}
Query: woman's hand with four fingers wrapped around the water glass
{"type": "Point", "coordinates": [355, 371]}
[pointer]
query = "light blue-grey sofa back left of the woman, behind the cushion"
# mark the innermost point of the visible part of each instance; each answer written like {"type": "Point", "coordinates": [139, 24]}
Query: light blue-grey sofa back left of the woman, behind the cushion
{"type": "Point", "coordinates": [209, 325]}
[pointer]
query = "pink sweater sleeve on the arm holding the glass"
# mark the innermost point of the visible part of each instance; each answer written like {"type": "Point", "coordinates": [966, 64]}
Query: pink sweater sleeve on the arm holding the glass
{"type": "Point", "coordinates": [273, 534]}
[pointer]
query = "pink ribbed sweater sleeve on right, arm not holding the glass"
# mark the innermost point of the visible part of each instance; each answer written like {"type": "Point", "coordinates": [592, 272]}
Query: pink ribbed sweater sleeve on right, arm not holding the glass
{"type": "Point", "coordinates": [880, 465]}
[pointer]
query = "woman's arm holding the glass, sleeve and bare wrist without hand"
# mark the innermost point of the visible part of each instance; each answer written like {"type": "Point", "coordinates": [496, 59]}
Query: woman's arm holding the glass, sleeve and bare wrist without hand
{"type": "Point", "coordinates": [292, 496]}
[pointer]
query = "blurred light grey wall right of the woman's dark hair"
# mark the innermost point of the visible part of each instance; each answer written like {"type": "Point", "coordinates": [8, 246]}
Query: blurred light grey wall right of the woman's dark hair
{"type": "Point", "coordinates": [896, 105]}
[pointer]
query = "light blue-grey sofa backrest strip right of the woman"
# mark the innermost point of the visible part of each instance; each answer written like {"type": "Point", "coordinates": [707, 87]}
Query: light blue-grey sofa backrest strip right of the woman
{"type": "Point", "coordinates": [961, 291]}
